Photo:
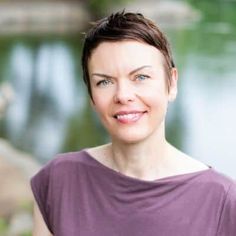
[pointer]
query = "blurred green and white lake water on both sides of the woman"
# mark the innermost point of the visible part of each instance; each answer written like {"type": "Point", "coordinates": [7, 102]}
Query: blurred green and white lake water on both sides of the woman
{"type": "Point", "coordinates": [50, 112]}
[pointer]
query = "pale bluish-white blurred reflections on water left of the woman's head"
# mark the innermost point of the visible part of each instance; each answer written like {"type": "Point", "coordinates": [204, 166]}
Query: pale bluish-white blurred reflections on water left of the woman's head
{"type": "Point", "coordinates": [46, 96]}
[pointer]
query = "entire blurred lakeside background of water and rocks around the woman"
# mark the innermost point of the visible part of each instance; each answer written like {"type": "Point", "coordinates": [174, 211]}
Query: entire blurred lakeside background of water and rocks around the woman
{"type": "Point", "coordinates": [44, 107]}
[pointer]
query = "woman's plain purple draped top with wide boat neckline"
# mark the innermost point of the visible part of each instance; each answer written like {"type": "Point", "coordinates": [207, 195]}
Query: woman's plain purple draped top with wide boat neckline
{"type": "Point", "coordinates": [79, 196]}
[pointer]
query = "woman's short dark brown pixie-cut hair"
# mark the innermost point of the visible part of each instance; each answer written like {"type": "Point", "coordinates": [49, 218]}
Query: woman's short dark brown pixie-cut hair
{"type": "Point", "coordinates": [124, 26]}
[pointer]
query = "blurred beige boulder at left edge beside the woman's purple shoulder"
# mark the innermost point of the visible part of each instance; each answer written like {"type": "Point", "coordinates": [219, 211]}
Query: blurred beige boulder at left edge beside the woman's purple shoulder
{"type": "Point", "coordinates": [16, 168]}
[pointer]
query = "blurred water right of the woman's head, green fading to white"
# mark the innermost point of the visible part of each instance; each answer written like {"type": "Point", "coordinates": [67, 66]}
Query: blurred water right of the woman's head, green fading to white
{"type": "Point", "coordinates": [207, 92]}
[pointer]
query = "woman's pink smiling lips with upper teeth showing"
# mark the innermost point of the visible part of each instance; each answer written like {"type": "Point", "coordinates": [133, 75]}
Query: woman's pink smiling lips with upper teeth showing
{"type": "Point", "coordinates": [128, 117]}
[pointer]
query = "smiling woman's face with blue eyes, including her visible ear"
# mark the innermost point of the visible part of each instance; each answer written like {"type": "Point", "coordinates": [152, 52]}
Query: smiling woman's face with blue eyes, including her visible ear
{"type": "Point", "coordinates": [129, 89]}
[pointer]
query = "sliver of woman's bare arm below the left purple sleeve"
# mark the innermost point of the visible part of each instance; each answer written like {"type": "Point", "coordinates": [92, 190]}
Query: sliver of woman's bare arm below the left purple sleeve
{"type": "Point", "coordinates": [39, 228]}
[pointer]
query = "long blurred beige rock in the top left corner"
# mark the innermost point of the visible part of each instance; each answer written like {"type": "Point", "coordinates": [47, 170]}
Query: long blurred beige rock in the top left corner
{"type": "Point", "coordinates": [37, 17]}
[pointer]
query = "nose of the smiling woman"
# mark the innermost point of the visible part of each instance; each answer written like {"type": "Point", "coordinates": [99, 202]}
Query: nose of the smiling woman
{"type": "Point", "coordinates": [124, 94]}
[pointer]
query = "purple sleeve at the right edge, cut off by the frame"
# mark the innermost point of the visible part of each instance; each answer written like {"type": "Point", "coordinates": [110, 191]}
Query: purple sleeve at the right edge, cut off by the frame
{"type": "Point", "coordinates": [227, 225]}
